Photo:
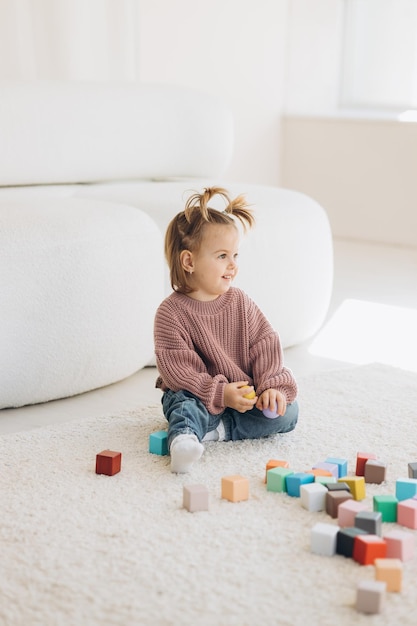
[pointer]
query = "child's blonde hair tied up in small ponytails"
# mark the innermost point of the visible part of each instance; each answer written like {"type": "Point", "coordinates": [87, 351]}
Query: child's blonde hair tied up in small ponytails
{"type": "Point", "coordinates": [186, 229]}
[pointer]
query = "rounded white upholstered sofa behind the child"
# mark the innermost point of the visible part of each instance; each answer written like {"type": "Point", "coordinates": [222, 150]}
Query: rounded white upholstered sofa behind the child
{"type": "Point", "coordinates": [90, 175]}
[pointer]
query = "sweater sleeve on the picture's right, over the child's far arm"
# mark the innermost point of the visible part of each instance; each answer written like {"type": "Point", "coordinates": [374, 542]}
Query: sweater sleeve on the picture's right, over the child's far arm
{"type": "Point", "coordinates": [267, 359]}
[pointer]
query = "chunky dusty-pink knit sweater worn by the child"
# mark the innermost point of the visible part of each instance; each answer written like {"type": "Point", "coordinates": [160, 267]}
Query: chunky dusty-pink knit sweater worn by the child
{"type": "Point", "coordinates": [202, 346]}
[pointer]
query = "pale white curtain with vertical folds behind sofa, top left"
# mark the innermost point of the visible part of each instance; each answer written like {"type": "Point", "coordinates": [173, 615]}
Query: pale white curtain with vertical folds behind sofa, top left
{"type": "Point", "coordinates": [69, 40]}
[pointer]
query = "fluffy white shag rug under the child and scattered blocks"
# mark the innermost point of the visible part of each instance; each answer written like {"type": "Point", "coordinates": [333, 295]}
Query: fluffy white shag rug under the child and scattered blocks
{"type": "Point", "coordinates": [79, 549]}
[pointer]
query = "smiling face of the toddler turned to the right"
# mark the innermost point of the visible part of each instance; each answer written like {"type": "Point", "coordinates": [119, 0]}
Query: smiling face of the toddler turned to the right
{"type": "Point", "coordinates": [215, 263]}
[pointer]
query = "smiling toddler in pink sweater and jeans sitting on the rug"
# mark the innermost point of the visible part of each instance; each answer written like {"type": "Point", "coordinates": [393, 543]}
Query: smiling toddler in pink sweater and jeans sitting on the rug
{"type": "Point", "coordinates": [213, 345]}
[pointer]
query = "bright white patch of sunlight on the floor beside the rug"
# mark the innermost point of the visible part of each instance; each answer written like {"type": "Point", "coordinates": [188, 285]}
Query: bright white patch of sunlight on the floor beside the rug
{"type": "Point", "coordinates": [363, 332]}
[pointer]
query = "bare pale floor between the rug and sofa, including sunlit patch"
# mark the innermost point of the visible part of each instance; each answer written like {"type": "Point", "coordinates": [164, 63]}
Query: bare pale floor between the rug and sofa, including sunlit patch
{"type": "Point", "coordinates": [372, 317]}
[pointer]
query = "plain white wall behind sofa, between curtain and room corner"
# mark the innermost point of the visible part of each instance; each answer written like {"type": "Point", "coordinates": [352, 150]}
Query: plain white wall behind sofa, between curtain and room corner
{"type": "Point", "coordinates": [232, 48]}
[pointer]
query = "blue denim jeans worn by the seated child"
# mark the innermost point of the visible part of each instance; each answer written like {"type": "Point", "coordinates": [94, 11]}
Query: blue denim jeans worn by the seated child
{"type": "Point", "coordinates": [187, 414]}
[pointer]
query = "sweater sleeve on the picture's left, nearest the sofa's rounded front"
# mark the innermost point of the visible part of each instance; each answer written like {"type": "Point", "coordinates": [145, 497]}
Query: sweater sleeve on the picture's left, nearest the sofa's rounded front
{"type": "Point", "coordinates": [179, 364]}
